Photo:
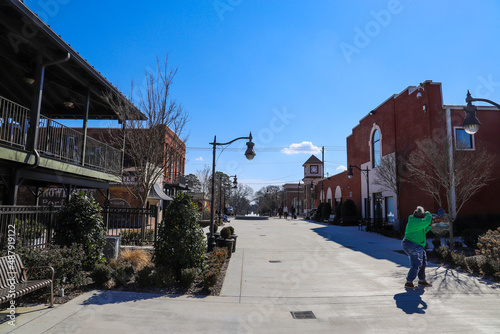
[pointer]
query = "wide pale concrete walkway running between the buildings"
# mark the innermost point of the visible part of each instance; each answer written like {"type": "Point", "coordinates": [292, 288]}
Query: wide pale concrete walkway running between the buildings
{"type": "Point", "coordinates": [350, 280]}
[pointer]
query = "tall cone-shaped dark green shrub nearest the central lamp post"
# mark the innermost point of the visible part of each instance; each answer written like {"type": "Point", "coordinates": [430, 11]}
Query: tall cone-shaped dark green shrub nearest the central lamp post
{"type": "Point", "coordinates": [180, 241]}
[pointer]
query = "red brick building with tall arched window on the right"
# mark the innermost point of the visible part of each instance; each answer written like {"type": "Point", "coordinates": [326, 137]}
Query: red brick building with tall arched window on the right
{"type": "Point", "coordinates": [393, 128]}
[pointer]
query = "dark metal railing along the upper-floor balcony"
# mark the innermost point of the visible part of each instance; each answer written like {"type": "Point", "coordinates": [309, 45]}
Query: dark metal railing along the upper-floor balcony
{"type": "Point", "coordinates": [55, 140]}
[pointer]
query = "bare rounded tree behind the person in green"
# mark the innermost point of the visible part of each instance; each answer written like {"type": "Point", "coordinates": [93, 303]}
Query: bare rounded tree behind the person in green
{"type": "Point", "coordinates": [441, 170]}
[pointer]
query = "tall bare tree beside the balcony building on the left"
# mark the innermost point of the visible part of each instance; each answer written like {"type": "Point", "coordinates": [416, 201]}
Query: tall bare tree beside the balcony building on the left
{"type": "Point", "coordinates": [154, 147]}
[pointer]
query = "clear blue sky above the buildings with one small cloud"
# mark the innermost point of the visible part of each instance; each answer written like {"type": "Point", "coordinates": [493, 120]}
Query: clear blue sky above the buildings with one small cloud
{"type": "Point", "coordinates": [288, 71]}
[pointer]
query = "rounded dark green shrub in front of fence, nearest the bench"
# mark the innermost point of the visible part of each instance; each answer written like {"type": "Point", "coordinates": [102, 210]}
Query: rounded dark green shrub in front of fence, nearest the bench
{"type": "Point", "coordinates": [80, 221]}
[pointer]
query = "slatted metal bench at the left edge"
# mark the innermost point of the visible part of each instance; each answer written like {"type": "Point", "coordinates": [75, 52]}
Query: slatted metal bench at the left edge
{"type": "Point", "coordinates": [14, 281]}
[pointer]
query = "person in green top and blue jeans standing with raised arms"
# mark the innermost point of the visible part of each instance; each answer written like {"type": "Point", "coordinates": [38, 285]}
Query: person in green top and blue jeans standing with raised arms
{"type": "Point", "coordinates": [414, 245]}
